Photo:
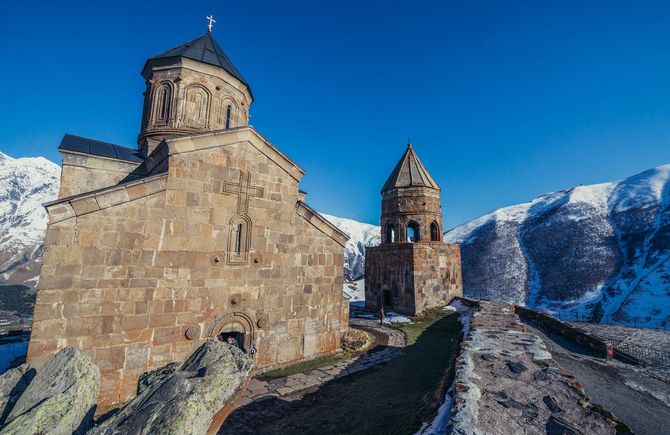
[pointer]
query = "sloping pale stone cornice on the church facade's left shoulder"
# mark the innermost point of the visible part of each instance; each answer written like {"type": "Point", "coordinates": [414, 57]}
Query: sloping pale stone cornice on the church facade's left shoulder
{"type": "Point", "coordinates": [78, 205]}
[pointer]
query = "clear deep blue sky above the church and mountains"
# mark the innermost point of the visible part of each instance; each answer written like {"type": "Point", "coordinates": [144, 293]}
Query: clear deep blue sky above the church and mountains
{"type": "Point", "coordinates": [503, 100]}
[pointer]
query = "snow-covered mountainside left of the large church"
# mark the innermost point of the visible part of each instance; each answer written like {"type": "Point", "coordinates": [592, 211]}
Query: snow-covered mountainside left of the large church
{"type": "Point", "coordinates": [25, 184]}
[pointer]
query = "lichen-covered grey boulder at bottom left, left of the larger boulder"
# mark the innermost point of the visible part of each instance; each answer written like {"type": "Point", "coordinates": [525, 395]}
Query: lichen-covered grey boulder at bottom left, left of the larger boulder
{"type": "Point", "coordinates": [60, 399]}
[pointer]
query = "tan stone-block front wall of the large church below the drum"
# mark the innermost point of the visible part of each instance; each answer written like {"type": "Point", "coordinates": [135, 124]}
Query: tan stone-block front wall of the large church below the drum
{"type": "Point", "coordinates": [138, 276]}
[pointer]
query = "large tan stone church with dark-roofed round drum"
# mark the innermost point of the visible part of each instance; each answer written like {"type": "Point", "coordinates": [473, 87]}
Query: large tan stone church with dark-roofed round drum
{"type": "Point", "coordinates": [200, 232]}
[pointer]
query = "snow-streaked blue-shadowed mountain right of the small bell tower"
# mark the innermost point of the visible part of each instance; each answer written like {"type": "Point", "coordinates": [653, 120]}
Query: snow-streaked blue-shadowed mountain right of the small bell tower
{"type": "Point", "coordinates": [599, 250]}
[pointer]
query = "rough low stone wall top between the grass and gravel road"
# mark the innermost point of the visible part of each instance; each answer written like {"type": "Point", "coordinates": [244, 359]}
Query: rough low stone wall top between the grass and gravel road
{"type": "Point", "coordinates": [507, 382]}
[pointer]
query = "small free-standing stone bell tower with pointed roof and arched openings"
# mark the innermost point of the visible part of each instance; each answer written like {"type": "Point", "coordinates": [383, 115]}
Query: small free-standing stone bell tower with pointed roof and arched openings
{"type": "Point", "coordinates": [412, 269]}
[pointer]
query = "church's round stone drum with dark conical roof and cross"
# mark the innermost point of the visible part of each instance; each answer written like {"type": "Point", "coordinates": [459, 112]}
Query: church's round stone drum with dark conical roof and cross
{"type": "Point", "coordinates": [190, 88]}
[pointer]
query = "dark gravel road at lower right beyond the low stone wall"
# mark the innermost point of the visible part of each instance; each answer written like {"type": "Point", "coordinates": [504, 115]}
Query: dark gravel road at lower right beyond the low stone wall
{"type": "Point", "coordinates": [637, 395]}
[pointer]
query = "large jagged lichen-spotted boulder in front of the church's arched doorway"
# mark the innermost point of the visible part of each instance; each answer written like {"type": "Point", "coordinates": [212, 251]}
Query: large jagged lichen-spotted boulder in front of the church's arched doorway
{"type": "Point", "coordinates": [187, 400]}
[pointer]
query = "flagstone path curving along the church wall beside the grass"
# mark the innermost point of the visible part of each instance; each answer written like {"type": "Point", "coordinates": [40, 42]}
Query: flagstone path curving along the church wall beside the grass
{"type": "Point", "coordinates": [259, 389]}
